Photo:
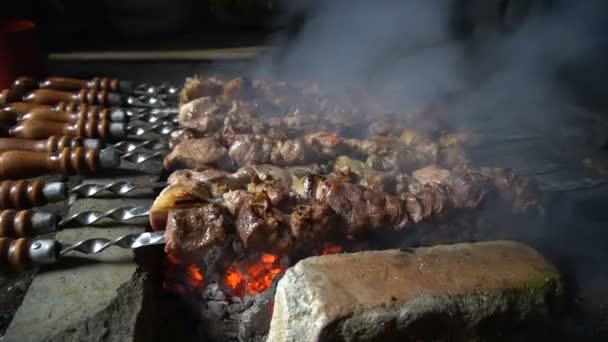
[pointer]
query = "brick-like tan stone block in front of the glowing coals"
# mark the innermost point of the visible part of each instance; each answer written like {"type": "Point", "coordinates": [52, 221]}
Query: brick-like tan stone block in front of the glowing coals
{"type": "Point", "coordinates": [455, 292]}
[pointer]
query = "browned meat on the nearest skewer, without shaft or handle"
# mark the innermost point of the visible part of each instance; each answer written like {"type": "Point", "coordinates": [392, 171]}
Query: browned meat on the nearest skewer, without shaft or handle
{"type": "Point", "coordinates": [332, 207]}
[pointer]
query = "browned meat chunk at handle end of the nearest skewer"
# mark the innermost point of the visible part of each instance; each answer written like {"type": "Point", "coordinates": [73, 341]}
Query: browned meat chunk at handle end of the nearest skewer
{"type": "Point", "coordinates": [191, 233]}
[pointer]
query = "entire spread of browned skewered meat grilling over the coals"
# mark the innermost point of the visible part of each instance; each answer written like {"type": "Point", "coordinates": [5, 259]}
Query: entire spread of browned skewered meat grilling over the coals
{"type": "Point", "coordinates": [281, 169]}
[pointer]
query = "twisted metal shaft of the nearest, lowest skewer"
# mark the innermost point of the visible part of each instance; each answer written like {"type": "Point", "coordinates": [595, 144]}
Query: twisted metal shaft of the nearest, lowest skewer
{"type": "Point", "coordinates": [129, 241]}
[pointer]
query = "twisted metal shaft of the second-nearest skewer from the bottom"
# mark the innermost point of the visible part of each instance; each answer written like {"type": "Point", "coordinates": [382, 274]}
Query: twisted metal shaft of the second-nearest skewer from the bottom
{"type": "Point", "coordinates": [119, 215]}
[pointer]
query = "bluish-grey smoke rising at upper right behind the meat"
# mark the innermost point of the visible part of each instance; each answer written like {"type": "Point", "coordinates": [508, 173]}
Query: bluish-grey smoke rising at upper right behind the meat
{"type": "Point", "coordinates": [504, 72]}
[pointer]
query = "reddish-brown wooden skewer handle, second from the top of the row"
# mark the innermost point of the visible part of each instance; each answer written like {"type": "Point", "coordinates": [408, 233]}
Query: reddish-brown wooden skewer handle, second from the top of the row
{"type": "Point", "coordinates": [88, 96]}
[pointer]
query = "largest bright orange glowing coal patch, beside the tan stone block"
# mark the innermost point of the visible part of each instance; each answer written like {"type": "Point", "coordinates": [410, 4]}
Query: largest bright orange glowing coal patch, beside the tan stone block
{"type": "Point", "coordinates": [255, 277]}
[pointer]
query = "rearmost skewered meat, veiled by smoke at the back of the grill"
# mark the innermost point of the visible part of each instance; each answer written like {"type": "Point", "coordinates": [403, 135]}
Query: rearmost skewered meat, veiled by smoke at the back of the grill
{"type": "Point", "coordinates": [261, 107]}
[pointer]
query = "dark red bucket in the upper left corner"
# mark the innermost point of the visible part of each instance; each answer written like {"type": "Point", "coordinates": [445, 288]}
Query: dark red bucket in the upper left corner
{"type": "Point", "coordinates": [20, 52]}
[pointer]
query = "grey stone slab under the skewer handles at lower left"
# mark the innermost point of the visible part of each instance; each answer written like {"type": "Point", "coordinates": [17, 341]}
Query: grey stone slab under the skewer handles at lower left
{"type": "Point", "coordinates": [83, 289]}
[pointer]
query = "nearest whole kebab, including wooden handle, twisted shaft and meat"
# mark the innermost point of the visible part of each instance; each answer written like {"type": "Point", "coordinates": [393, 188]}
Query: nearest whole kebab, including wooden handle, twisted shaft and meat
{"type": "Point", "coordinates": [263, 221]}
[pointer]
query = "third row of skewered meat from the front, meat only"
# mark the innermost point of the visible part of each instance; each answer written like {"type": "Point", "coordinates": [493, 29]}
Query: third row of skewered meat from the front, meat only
{"type": "Point", "coordinates": [385, 154]}
